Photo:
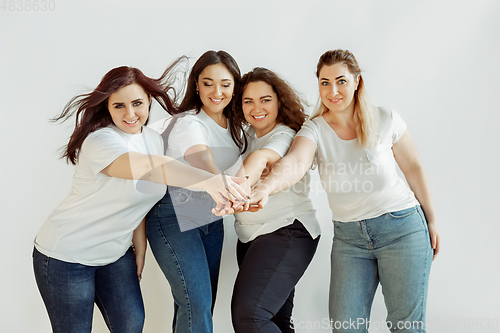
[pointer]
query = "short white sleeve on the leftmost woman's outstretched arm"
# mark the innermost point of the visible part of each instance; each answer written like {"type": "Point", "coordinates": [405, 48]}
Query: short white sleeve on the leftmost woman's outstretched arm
{"type": "Point", "coordinates": [101, 148]}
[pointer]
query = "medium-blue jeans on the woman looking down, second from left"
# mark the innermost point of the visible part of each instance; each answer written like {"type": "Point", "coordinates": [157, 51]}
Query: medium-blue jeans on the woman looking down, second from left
{"type": "Point", "coordinates": [190, 260]}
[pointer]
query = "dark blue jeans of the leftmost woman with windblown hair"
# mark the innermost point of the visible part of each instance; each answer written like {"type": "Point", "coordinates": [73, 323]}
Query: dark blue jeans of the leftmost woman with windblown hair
{"type": "Point", "coordinates": [69, 291]}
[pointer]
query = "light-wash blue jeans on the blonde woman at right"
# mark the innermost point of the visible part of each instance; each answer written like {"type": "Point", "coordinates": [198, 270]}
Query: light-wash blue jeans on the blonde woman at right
{"type": "Point", "coordinates": [393, 249]}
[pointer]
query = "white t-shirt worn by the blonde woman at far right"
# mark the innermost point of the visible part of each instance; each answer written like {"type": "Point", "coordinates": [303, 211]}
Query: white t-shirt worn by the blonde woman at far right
{"type": "Point", "coordinates": [360, 183]}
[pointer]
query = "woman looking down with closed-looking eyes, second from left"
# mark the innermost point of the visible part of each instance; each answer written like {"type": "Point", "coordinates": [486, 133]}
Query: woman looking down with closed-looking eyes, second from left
{"type": "Point", "coordinates": [185, 237]}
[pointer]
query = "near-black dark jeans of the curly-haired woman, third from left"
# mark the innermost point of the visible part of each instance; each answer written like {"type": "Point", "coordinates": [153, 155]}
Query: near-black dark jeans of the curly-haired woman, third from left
{"type": "Point", "coordinates": [270, 267]}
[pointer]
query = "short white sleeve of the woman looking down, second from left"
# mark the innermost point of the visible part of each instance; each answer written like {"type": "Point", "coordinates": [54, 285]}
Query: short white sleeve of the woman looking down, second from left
{"type": "Point", "coordinates": [187, 132]}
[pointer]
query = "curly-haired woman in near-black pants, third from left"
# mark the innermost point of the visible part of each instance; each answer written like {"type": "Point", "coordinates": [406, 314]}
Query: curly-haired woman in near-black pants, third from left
{"type": "Point", "coordinates": [277, 243]}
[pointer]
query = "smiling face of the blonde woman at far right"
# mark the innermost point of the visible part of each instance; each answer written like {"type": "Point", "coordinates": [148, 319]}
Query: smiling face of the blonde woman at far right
{"type": "Point", "coordinates": [336, 87]}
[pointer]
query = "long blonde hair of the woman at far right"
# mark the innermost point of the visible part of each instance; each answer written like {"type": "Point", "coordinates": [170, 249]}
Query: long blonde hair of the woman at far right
{"type": "Point", "coordinates": [365, 117]}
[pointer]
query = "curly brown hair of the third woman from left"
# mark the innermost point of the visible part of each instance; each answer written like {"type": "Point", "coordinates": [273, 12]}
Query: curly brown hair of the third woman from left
{"type": "Point", "coordinates": [291, 111]}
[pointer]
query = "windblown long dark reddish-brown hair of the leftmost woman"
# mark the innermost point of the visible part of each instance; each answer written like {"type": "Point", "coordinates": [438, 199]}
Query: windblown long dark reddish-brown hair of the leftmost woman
{"type": "Point", "coordinates": [91, 109]}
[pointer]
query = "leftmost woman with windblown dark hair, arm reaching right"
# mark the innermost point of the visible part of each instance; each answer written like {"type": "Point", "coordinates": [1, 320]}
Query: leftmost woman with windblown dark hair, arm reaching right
{"type": "Point", "coordinates": [83, 253]}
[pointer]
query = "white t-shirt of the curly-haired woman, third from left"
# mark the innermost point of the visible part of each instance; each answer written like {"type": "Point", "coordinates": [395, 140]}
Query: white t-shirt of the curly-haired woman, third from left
{"type": "Point", "coordinates": [283, 207]}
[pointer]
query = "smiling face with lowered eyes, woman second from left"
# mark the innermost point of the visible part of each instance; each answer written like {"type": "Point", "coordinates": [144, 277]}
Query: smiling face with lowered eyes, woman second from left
{"type": "Point", "coordinates": [215, 86]}
